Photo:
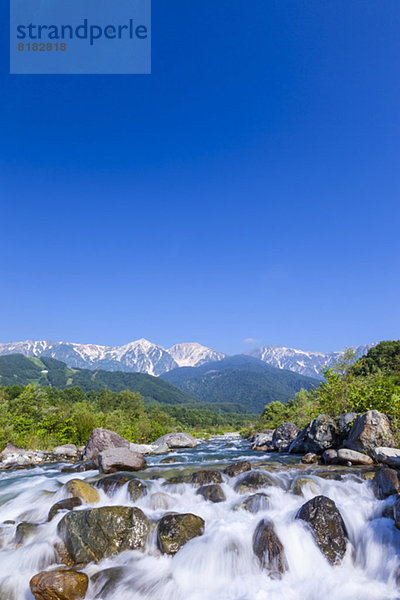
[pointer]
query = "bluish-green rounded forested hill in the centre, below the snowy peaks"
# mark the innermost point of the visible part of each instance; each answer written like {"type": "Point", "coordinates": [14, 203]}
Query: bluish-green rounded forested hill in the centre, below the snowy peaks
{"type": "Point", "coordinates": [239, 379]}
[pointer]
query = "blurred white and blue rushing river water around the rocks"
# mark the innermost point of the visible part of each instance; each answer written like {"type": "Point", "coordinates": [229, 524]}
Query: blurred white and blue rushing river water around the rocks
{"type": "Point", "coordinates": [219, 565]}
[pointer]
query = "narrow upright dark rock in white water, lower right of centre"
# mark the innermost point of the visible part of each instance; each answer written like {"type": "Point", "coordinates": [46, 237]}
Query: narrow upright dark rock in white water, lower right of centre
{"type": "Point", "coordinates": [269, 549]}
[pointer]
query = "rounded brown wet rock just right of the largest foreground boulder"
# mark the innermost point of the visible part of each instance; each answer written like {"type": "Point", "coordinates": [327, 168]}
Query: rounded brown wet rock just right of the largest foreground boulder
{"type": "Point", "coordinates": [175, 530]}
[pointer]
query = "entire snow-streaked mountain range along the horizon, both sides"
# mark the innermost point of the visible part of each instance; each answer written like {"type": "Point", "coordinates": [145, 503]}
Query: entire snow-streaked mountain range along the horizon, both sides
{"type": "Point", "coordinates": [143, 356]}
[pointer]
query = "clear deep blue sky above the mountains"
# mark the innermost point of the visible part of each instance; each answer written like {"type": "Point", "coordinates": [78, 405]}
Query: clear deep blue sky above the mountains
{"type": "Point", "coordinates": [248, 188]}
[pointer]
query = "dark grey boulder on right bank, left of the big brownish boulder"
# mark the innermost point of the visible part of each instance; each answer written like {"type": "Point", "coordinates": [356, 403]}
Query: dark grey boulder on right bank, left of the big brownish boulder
{"type": "Point", "coordinates": [319, 435]}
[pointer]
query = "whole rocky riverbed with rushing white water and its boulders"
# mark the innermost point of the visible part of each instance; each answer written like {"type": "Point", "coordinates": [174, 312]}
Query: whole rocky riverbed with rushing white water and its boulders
{"type": "Point", "coordinates": [218, 521]}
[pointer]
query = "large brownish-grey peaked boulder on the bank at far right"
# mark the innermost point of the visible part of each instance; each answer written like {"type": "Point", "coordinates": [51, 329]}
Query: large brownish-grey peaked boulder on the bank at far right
{"type": "Point", "coordinates": [370, 430]}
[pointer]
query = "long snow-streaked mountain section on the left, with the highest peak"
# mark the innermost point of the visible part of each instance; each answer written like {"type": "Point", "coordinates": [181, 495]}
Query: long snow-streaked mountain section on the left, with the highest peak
{"type": "Point", "coordinates": [140, 356]}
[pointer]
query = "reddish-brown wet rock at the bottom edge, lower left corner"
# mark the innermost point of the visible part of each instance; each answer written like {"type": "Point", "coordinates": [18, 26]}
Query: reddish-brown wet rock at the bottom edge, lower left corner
{"type": "Point", "coordinates": [60, 584]}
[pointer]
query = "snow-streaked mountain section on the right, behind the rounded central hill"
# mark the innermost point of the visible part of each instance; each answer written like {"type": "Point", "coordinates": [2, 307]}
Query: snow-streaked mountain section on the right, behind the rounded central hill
{"type": "Point", "coordinates": [305, 363]}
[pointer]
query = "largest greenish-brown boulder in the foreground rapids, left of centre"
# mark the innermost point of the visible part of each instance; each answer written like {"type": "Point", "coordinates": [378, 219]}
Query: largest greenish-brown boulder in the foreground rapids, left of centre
{"type": "Point", "coordinates": [94, 534]}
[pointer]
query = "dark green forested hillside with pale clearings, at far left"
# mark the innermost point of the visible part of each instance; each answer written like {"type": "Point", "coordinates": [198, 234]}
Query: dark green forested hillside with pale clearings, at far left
{"type": "Point", "coordinates": [16, 369]}
